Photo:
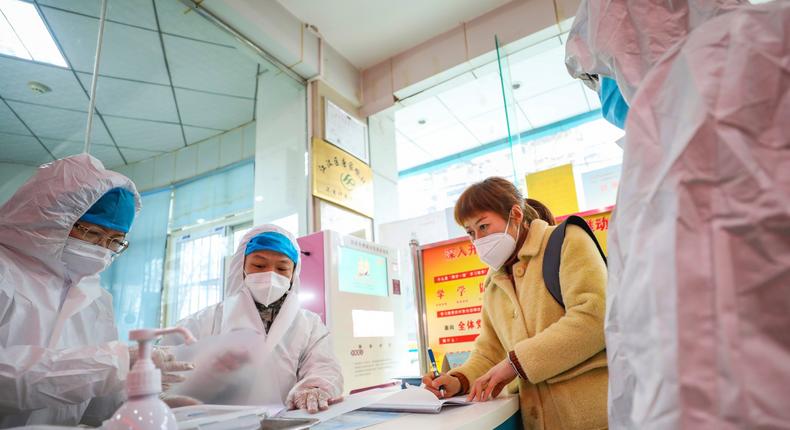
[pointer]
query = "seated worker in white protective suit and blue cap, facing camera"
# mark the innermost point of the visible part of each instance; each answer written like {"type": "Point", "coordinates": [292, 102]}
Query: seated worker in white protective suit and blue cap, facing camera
{"type": "Point", "coordinates": [300, 370]}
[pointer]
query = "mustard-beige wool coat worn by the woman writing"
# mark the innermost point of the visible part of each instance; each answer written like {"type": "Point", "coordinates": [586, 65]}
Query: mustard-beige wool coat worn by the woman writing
{"type": "Point", "coordinates": [561, 351]}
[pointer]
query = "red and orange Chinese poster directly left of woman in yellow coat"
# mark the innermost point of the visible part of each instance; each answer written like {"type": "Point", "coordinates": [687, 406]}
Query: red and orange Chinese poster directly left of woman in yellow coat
{"type": "Point", "coordinates": [453, 276]}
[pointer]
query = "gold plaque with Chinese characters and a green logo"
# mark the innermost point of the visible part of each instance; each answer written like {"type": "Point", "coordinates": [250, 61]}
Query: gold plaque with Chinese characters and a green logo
{"type": "Point", "coordinates": [341, 178]}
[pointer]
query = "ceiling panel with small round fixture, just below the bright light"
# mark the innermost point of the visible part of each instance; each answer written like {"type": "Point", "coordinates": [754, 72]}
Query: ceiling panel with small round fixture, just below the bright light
{"type": "Point", "coordinates": [66, 91]}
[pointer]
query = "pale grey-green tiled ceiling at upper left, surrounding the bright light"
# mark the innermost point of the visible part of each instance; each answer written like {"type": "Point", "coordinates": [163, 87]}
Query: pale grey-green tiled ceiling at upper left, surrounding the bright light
{"type": "Point", "coordinates": [134, 92]}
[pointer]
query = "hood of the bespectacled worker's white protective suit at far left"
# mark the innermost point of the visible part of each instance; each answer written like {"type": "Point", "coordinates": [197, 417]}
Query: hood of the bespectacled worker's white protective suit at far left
{"type": "Point", "coordinates": [36, 221]}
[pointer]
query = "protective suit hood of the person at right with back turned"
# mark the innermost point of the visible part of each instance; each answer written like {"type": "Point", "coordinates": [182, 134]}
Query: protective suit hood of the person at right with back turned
{"type": "Point", "coordinates": [623, 39]}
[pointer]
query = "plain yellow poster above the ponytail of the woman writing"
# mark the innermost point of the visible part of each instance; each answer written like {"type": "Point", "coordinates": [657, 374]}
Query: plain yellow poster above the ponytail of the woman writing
{"type": "Point", "coordinates": [554, 188]}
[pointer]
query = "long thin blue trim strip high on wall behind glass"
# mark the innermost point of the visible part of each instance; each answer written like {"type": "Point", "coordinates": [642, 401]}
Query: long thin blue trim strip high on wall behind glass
{"type": "Point", "coordinates": [496, 145]}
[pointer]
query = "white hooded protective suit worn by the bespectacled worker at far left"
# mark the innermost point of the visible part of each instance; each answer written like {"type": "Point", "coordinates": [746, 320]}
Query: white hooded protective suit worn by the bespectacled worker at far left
{"type": "Point", "coordinates": [58, 341]}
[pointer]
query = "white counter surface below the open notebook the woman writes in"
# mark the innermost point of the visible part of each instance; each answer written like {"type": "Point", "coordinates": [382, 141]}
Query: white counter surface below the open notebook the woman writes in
{"type": "Point", "coordinates": [485, 415]}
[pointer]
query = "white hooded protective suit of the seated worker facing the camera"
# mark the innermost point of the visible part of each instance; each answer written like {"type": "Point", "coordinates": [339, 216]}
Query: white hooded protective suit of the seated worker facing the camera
{"type": "Point", "coordinates": [296, 349]}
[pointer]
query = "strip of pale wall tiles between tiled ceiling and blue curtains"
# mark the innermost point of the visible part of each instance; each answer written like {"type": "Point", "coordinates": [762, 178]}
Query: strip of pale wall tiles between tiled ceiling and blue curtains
{"type": "Point", "coordinates": [196, 159]}
